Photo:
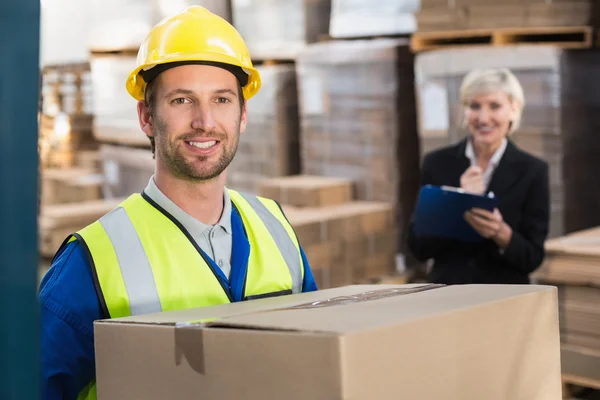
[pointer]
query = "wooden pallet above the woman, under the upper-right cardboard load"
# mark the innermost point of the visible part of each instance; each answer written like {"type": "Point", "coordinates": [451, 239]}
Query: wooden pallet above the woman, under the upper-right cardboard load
{"type": "Point", "coordinates": [575, 37]}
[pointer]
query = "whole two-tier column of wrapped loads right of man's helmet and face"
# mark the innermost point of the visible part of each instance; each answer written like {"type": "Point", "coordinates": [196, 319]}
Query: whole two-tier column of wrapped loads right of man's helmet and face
{"type": "Point", "coordinates": [275, 32]}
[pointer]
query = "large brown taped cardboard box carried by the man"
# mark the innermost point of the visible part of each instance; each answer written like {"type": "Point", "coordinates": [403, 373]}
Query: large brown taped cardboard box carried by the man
{"type": "Point", "coordinates": [359, 342]}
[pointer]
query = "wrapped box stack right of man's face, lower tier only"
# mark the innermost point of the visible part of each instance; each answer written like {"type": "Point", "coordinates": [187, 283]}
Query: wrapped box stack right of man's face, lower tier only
{"type": "Point", "coordinates": [270, 145]}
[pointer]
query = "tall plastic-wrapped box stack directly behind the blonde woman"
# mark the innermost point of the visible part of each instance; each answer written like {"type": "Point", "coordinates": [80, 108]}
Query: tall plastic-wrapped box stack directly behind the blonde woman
{"type": "Point", "coordinates": [558, 123]}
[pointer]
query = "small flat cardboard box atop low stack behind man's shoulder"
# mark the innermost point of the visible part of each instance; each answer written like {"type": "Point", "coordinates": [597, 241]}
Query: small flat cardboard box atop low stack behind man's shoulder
{"type": "Point", "coordinates": [307, 191]}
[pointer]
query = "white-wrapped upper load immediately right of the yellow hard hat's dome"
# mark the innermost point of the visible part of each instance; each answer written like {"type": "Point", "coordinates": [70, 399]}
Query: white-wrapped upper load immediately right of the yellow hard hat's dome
{"type": "Point", "coordinates": [275, 29]}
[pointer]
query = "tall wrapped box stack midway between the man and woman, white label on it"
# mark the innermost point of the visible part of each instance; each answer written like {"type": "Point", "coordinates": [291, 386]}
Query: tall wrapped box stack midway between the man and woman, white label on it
{"type": "Point", "coordinates": [358, 119]}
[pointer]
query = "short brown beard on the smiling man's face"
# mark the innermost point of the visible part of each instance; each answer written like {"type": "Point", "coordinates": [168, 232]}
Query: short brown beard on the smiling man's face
{"type": "Point", "coordinates": [180, 167]}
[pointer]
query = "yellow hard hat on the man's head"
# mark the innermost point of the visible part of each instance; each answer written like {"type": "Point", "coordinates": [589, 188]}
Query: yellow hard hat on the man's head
{"type": "Point", "coordinates": [194, 36]}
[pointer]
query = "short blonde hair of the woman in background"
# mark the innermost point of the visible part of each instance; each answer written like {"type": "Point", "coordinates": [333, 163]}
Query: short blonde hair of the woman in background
{"type": "Point", "coordinates": [491, 80]}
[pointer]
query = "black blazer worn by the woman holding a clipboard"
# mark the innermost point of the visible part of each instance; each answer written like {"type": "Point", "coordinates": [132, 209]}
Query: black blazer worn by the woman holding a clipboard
{"type": "Point", "coordinates": [521, 183]}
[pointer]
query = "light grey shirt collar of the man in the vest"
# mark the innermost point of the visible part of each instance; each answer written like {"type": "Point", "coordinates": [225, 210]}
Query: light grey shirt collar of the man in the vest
{"type": "Point", "coordinates": [190, 223]}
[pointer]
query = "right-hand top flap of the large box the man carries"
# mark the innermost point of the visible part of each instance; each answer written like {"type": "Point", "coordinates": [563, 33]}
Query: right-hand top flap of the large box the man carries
{"type": "Point", "coordinates": [377, 310]}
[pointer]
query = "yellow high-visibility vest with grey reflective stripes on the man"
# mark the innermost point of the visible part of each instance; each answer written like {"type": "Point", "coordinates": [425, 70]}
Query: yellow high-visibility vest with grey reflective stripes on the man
{"type": "Point", "coordinates": [144, 261]}
